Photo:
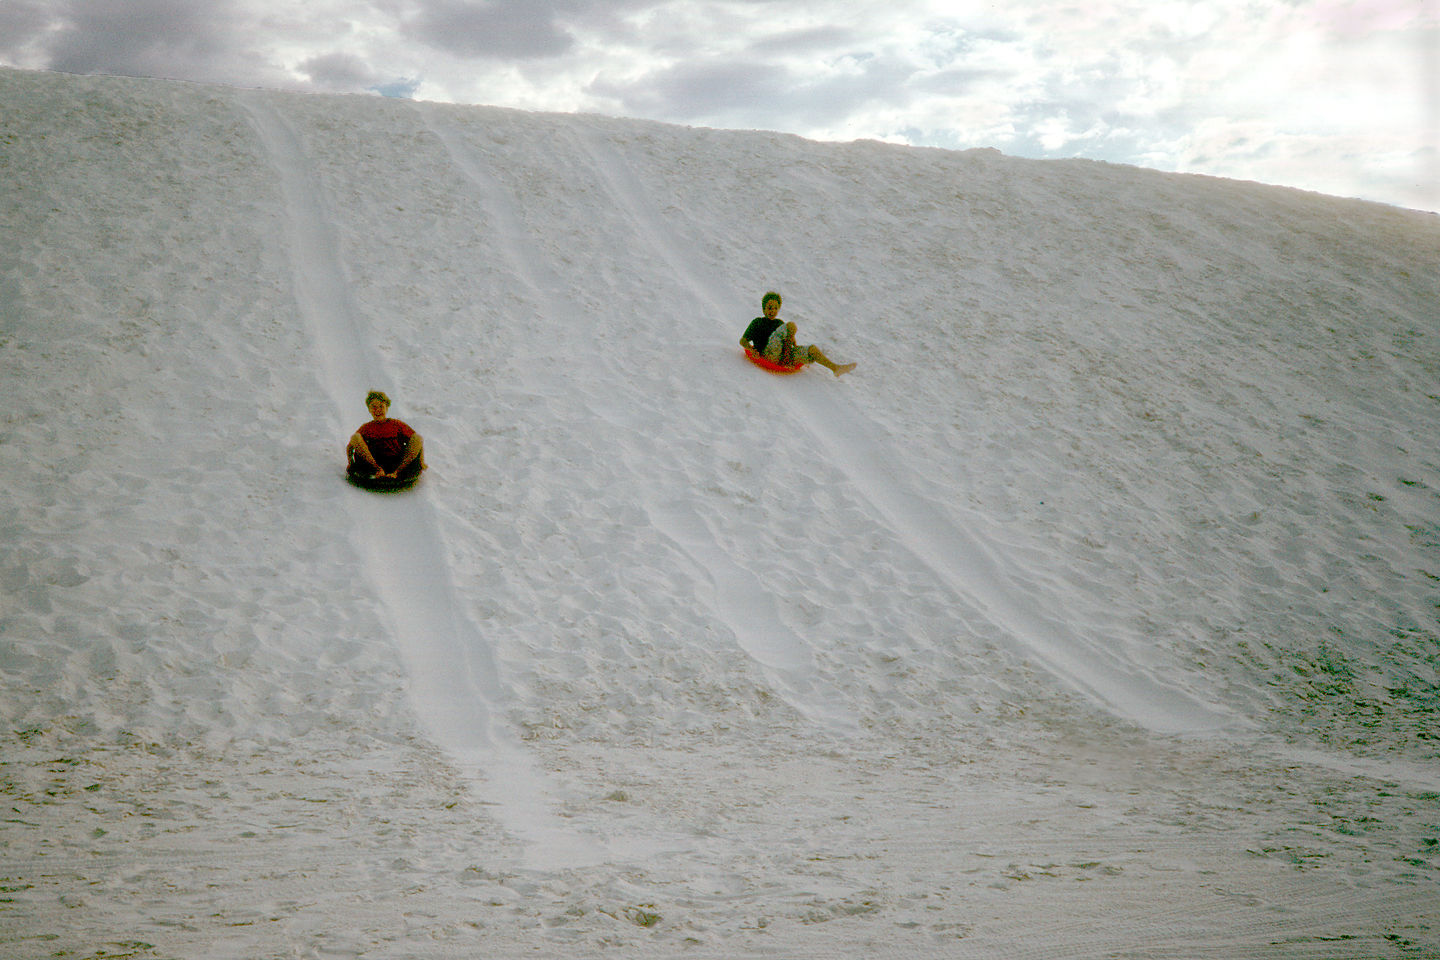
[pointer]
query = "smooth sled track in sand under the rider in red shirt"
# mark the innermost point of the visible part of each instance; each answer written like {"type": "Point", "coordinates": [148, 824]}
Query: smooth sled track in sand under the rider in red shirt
{"type": "Point", "coordinates": [456, 689]}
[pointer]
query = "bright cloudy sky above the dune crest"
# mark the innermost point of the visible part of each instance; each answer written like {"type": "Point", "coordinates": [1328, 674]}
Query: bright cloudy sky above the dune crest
{"type": "Point", "coordinates": [1333, 96]}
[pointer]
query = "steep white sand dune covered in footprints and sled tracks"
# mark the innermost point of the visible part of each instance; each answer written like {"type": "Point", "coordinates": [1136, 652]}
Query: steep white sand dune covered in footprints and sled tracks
{"type": "Point", "coordinates": [1097, 614]}
